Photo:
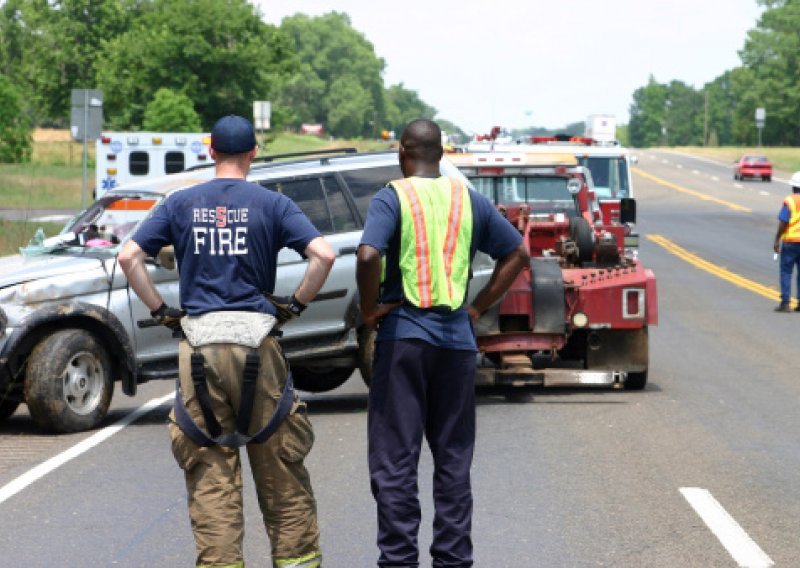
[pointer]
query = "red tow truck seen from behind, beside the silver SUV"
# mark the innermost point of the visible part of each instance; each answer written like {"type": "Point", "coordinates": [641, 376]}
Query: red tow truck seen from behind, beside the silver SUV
{"type": "Point", "coordinates": [580, 313]}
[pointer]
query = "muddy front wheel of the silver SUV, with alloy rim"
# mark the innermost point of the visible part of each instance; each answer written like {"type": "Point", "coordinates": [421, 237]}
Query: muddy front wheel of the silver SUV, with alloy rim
{"type": "Point", "coordinates": [68, 384]}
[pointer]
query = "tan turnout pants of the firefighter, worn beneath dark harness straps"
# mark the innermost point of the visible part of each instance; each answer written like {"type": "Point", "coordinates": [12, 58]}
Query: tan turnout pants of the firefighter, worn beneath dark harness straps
{"type": "Point", "coordinates": [213, 474]}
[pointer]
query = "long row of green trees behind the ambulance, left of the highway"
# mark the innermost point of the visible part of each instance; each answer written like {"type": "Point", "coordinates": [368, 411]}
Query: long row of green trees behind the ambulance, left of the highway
{"type": "Point", "coordinates": [184, 63]}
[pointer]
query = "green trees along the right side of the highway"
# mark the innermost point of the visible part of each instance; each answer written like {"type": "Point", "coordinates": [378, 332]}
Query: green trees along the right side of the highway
{"type": "Point", "coordinates": [722, 112]}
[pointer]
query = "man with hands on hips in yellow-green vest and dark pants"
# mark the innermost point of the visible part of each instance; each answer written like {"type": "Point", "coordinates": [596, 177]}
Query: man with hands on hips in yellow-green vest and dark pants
{"type": "Point", "coordinates": [427, 228]}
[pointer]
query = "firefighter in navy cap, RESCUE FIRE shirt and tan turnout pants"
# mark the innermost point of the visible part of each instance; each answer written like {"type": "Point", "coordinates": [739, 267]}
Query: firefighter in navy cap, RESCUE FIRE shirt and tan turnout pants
{"type": "Point", "coordinates": [233, 383]}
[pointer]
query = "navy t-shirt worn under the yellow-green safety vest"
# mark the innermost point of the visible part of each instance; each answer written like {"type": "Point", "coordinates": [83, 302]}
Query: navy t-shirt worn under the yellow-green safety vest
{"type": "Point", "coordinates": [491, 234]}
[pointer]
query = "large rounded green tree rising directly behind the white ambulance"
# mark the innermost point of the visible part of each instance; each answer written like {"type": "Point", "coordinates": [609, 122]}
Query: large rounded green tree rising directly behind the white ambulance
{"type": "Point", "coordinates": [220, 54]}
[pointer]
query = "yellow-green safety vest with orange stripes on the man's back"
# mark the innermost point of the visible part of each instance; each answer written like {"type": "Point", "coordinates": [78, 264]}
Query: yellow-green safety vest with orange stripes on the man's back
{"type": "Point", "coordinates": [435, 240]}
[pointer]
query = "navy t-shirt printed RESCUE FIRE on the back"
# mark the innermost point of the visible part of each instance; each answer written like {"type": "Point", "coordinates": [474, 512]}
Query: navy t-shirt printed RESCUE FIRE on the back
{"type": "Point", "coordinates": [226, 233]}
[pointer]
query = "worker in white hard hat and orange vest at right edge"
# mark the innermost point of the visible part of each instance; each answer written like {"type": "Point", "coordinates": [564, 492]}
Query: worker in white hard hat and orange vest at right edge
{"type": "Point", "coordinates": [789, 233]}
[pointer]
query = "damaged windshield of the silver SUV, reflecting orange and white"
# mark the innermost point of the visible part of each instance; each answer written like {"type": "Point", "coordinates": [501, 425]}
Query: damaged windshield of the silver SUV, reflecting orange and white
{"type": "Point", "coordinates": [100, 228]}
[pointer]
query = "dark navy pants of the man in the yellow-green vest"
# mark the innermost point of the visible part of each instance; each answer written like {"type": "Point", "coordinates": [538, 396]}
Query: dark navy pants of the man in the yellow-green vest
{"type": "Point", "coordinates": [418, 389]}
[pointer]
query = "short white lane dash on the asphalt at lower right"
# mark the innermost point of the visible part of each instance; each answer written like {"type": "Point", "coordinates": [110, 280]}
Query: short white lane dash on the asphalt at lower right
{"type": "Point", "coordinates": [738, 543]}
